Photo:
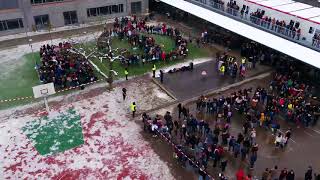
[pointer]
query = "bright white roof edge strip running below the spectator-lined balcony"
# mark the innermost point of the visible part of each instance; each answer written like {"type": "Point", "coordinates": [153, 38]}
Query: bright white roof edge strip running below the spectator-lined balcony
{"type": "Point", "coordinates": [285, 46]}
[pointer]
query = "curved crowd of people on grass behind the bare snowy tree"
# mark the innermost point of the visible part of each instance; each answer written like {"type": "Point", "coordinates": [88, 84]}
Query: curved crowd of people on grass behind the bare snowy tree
{"type": "Point", "coordinates": [139, 35]}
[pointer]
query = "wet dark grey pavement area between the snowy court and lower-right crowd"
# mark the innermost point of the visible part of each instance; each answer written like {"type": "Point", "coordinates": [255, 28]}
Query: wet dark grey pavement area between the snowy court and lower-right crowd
{"type": "Point", "coordinates": [188, 84]}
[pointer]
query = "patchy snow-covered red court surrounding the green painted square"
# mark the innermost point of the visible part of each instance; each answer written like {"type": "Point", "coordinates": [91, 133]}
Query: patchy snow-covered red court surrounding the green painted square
{"type": "Point", "coordinates": [113, 146]}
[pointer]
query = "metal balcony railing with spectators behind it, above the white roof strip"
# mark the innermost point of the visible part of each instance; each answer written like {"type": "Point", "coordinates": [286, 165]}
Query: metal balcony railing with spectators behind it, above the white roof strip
{"type": "Point", "coordinates": [259, 23]}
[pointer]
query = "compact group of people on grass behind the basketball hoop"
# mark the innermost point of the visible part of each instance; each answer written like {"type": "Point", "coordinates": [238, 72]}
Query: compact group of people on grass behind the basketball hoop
{"type": "Point", "coordinates": [62, 67]}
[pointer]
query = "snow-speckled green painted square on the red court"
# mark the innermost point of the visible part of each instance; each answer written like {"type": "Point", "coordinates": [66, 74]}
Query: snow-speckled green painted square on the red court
{"type": "Point", "coordinates": [56, 134]}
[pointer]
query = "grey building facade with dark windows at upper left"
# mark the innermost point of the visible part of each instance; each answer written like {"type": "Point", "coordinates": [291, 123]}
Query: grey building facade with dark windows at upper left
{"type": "Point", "coordinates": [17, 16]}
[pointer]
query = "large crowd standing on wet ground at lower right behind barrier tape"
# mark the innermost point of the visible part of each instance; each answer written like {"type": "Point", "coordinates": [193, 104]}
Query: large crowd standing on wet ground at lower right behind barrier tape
{"type": "Point", "coordinates": [286, 98]}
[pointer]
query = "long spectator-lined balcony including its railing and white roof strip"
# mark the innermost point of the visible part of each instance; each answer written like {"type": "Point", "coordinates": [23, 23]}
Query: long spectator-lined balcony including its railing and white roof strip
{"type": "Point", "coordinates": [251, 28]}
